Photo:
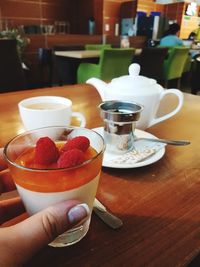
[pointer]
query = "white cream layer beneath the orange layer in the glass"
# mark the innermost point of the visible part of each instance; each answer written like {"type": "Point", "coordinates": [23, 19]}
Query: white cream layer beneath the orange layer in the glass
{"type": "Point", "coordinates": [36, 201]}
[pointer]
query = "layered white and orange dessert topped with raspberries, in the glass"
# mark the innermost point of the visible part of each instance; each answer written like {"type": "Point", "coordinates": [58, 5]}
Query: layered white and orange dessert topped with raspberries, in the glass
{"type": "Point", "coordinates": [51, 172]}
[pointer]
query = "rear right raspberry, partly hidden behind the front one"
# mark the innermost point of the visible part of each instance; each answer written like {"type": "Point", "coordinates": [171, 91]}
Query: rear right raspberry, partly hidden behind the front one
{"type": "Point", "coordinates": [80, 142]}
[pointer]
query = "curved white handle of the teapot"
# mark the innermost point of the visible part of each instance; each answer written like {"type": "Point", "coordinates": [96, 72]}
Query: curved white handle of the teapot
{"type": "Point", "coordinates": [180, 97]}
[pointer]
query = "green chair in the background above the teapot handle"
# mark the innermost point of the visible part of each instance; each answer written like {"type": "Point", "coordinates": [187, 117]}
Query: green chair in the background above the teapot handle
{"type": "Point", "coordinates": [174, 65]}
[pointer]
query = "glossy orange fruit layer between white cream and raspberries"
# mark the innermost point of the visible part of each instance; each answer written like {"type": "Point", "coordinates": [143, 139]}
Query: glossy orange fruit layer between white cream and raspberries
{"type": "Point", "coordinates": [54, 180]}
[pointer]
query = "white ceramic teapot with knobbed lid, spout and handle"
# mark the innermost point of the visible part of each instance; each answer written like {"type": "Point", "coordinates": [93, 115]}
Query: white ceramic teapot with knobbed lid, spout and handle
{"type": "Point", "coordinates": [140, 89]}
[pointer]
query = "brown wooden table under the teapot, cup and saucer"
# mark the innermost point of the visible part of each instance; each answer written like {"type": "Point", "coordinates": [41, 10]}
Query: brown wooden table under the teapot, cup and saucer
{"type": "Point", "coordinates": [159, 204]}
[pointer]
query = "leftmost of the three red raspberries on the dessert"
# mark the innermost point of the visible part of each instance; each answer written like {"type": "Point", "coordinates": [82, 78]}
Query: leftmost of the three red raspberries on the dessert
{"type": "Point", "coordinates": [46, 151]}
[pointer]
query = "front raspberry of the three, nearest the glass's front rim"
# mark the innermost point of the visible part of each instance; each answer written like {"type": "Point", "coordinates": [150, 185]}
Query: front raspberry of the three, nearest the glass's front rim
{"type": "Point", "coordinates": [71, 158]}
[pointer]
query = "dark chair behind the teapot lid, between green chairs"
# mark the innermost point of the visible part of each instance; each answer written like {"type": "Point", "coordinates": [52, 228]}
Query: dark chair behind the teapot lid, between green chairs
{"type": "Point", "coordinates": [151, 61]}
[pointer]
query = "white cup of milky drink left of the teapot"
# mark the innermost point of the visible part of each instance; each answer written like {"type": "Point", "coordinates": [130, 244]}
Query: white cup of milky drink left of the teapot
{"type": "Point", "coordinates": [43, 111]}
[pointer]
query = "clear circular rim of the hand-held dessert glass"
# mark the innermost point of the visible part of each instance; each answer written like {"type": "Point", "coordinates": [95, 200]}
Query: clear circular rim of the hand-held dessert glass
{"type": "Point", "coordinates": [52, 169]}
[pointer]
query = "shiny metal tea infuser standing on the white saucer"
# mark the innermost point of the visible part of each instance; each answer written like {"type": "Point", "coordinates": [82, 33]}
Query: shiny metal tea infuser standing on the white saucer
{"type": "Point", "coordinates": [119, 124]}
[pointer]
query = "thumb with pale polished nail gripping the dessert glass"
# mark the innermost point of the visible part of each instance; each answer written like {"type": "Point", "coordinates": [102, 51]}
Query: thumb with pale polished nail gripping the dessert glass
{"type": "Point", "coordinates": [27, 237]}
